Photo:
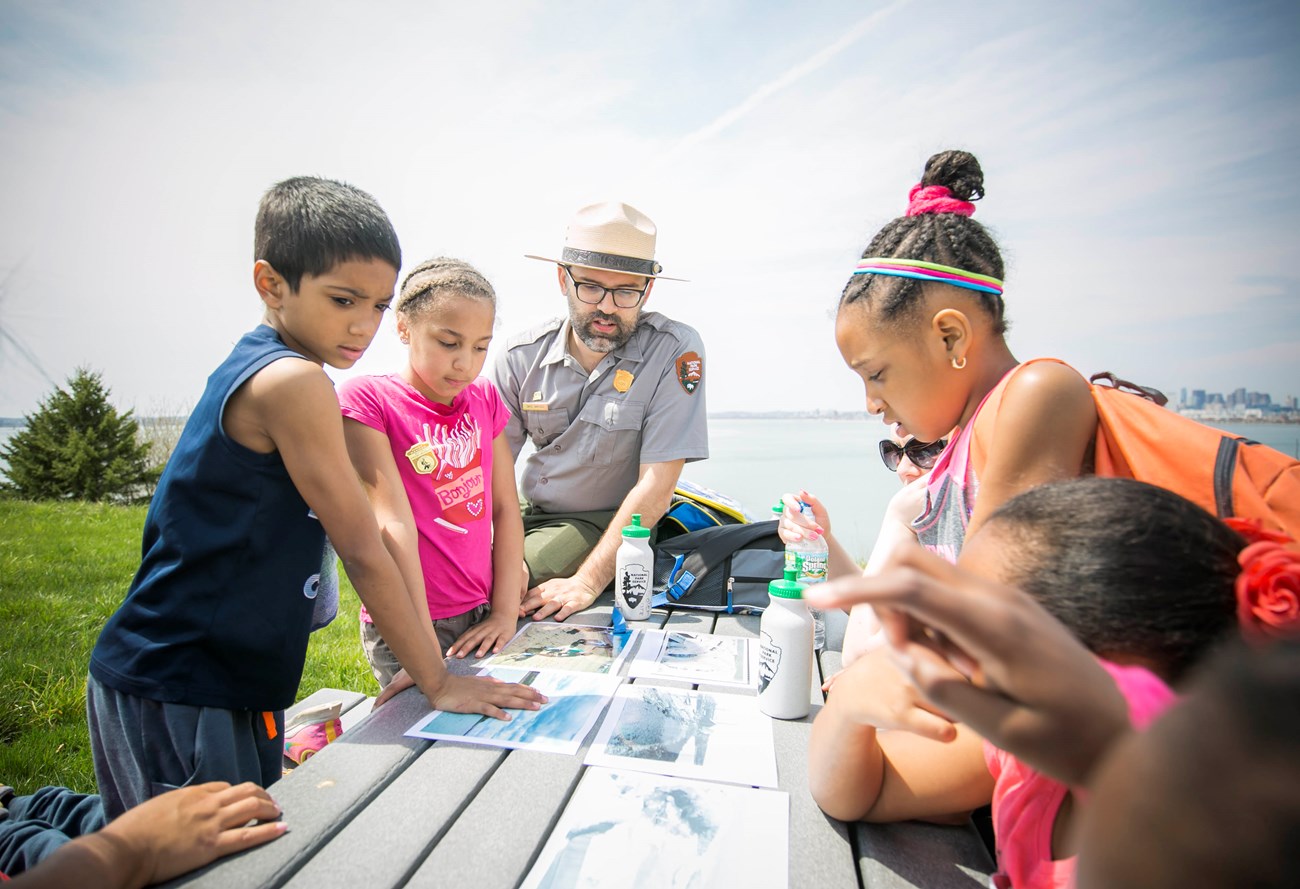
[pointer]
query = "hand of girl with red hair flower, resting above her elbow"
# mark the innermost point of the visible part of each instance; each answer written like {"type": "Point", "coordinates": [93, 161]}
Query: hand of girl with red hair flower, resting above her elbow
{"type": "Point", "coordinates": [873, 692]}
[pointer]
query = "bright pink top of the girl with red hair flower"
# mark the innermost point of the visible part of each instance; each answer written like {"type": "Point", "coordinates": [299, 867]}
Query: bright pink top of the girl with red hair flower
{"type": "Point", "coordinates": [1026, 803]}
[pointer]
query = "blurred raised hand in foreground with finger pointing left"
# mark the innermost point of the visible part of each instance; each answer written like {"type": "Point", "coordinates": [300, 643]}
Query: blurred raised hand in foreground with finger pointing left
{"type": "Point", "coordinates": [1037, 692]}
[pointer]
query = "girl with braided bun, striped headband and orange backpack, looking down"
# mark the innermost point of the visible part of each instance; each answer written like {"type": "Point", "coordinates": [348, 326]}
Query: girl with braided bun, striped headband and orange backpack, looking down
{"type": "Point", "coordinates": [922, 322]}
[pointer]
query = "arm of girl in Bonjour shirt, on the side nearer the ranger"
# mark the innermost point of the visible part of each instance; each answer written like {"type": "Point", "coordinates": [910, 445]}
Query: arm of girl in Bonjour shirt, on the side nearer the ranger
{"type": "Point", "coordinates": [508, 562]}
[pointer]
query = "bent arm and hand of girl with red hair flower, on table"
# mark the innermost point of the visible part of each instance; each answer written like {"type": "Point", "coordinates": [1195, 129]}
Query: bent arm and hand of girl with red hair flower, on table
{"type": "Point", "coordinates": [857, 773]}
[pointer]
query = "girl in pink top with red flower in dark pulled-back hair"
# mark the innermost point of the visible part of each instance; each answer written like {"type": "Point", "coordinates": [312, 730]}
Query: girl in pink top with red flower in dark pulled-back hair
{"type": "Point", "coordinates": [1143, 578]}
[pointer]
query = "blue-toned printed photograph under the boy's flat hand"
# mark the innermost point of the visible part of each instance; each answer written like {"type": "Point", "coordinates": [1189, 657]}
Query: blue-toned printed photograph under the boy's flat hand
{"type": "Point", "coordinates": [562, 725]}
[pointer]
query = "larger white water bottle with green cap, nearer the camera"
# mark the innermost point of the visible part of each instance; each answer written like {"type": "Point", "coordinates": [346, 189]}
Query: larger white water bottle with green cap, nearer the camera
{"type": "Point", "coordinates": [786, 652]}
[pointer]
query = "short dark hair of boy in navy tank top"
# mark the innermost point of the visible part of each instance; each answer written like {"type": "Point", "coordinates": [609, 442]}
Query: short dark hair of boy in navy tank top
{"type": "Point", "coordinates": [307, 225]}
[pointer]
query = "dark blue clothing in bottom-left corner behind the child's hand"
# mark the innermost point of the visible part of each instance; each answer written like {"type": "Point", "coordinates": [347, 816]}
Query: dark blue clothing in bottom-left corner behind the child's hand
{"type": "Point", "coordinates": [32, 829]}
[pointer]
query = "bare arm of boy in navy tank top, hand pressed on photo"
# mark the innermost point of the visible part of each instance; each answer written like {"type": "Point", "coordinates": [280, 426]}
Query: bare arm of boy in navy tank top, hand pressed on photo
{"type": "Point", "coordinates": [294, 404]}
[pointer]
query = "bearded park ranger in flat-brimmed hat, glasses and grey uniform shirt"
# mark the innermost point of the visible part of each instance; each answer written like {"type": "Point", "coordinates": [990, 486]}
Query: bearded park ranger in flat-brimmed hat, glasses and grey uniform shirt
{"type": "Point", "coordinates": [613, 400]}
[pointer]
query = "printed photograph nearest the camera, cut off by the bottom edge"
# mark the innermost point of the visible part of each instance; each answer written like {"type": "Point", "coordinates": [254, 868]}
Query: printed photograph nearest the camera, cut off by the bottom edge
{"type": "Point", "coordinates": [635, 830]}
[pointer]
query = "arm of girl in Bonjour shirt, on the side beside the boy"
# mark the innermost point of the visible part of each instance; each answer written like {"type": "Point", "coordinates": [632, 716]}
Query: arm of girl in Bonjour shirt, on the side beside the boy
{"type": "Point", "coordinates": [372, 458]}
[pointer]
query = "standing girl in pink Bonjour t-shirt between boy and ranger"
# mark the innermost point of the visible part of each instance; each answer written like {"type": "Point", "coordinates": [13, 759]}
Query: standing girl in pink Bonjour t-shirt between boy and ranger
{"type": "Point", "coordinates": [427, 444]}
